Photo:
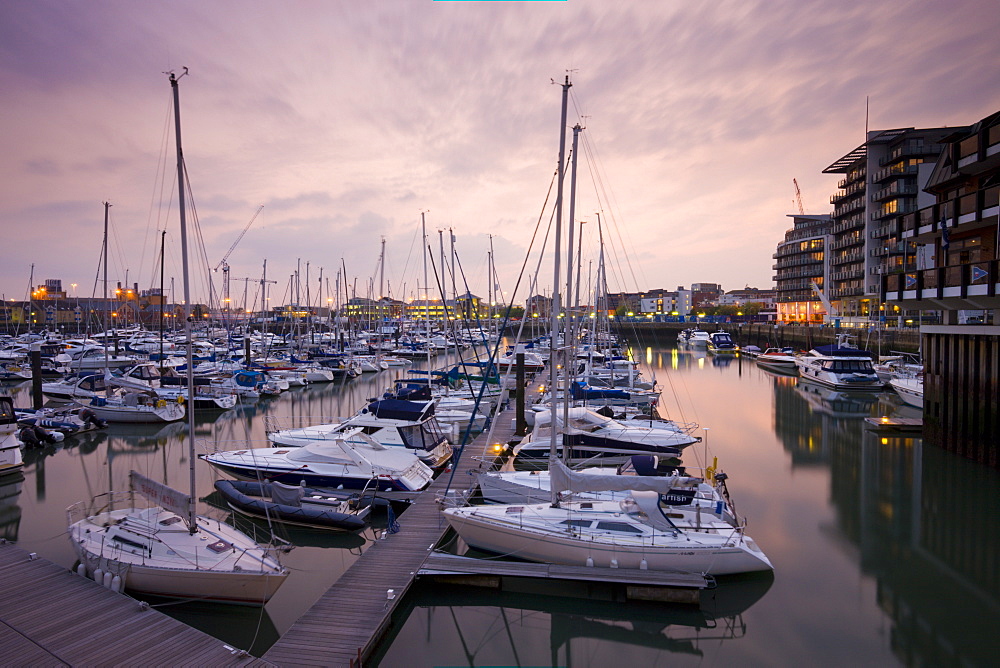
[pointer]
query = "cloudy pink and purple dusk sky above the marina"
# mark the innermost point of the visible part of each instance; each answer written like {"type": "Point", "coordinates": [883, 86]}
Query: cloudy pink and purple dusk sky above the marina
{"type": "Point", "coordinates": [347, 120]}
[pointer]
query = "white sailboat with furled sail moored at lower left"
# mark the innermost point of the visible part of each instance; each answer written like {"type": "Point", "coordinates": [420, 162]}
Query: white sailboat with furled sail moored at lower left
{"type": "Point", "coordinates": [165, 549]}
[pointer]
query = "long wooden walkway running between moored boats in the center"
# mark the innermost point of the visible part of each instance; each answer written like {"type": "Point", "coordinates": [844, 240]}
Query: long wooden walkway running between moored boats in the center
{"type": "Point", "coordinates": [345, 625]}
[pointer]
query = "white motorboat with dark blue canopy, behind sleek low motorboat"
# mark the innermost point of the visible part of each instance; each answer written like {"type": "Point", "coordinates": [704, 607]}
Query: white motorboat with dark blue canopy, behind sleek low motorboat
{"type": "Point", "coordinates": [394, 423]}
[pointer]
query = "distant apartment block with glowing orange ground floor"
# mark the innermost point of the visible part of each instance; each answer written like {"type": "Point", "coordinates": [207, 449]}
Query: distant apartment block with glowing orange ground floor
{"type": "Point", "coordinates": [801, 261]}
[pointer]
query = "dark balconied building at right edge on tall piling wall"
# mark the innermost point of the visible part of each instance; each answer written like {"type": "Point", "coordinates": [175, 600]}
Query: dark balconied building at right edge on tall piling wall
{"type": "Point", "coordinates": [956, 267]}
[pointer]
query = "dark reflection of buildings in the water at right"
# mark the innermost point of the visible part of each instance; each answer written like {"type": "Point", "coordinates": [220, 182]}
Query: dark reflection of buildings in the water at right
{"type": "Point", "coordinates": [915, 515]}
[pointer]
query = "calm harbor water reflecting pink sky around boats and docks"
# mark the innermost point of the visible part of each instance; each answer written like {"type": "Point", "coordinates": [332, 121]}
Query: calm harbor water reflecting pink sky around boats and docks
{"type": "Point", "coordinates": [885, 550]}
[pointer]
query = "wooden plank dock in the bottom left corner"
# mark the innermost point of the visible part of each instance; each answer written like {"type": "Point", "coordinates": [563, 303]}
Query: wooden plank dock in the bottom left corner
{"type": "Point", "coordinates": [50, 616]}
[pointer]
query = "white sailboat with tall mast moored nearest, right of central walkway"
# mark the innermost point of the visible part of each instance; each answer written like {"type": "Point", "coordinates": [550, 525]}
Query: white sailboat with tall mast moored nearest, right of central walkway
{"type": "Point", "coordinates": [631, 532]}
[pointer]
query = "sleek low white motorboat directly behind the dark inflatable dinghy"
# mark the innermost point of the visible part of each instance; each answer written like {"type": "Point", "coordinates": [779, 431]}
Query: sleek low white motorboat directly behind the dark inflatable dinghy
{"type": "Point", "coordinates": [352, 461]}
